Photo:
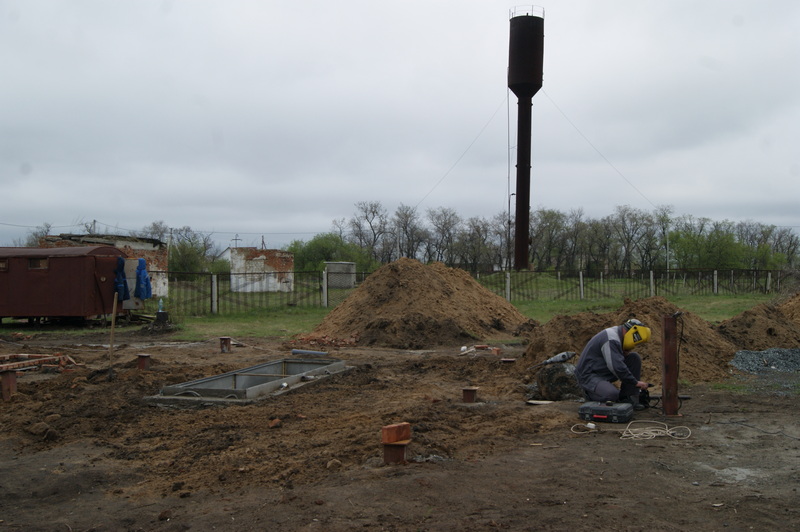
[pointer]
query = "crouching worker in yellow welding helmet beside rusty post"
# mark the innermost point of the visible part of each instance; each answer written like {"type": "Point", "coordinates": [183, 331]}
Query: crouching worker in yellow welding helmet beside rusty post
{"type": "Point", "coordinates": [609, 357]}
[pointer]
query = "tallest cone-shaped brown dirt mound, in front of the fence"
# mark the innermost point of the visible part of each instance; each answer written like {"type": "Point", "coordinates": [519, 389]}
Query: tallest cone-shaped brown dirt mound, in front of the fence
{"type": "Point", "coordinates": [408, 305]}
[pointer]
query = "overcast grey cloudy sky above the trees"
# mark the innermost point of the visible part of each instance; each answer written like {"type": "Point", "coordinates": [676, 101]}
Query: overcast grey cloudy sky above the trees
{"type": "Point", "coordinates": [273, 118]}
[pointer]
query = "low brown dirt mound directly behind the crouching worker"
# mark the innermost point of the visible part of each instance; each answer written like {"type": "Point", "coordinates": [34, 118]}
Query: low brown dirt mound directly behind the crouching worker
{"type": "Point", "coordinates": [704, 354]}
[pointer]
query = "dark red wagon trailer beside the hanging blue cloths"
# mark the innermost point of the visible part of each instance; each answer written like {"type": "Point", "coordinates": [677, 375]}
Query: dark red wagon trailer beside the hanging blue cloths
{"type": "Point", "coordinates": [57, 282]}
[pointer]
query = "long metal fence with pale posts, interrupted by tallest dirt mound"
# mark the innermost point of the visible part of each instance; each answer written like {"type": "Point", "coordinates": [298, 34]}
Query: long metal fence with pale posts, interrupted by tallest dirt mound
{"type": "Point", "coordinates": [199, 294]}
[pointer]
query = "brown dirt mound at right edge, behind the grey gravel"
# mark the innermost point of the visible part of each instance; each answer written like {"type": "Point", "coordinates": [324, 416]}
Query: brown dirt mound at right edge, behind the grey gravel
{"type": "Point", "coordinates": [764, 326]}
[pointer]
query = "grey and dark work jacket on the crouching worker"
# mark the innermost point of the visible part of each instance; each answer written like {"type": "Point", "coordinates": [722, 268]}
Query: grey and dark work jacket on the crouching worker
{"type": "Point", "coordinates": [603, 360]}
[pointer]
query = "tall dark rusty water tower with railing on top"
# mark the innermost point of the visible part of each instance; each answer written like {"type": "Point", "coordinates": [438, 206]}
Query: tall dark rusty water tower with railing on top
{"type": "Point", "coordinates": [525, 60]}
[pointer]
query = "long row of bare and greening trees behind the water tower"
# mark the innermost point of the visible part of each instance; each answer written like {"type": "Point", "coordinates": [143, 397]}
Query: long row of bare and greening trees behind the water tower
{"type": "Point", "coordinates": [628, 239]}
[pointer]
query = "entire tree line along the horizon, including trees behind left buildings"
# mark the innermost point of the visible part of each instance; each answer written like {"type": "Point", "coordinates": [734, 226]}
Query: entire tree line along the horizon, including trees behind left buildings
{"type": "Point", "coordinates": [629, 239]}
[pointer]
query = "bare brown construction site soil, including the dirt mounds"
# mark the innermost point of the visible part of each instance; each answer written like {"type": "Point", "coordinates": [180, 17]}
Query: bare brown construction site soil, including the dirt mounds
{"type": "Point", "coordinates": [81, 449]}
